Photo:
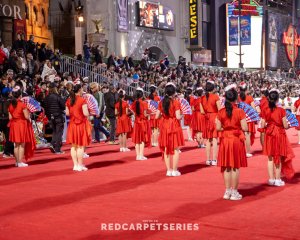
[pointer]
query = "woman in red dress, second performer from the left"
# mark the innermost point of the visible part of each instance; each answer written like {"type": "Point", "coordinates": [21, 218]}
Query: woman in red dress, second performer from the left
{"type": "Point", "coordinates": [79, 128]}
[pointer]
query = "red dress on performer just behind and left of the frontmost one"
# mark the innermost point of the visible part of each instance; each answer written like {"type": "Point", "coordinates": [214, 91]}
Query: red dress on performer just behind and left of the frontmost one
{"type": "Point", "coordinates": [210, 108]}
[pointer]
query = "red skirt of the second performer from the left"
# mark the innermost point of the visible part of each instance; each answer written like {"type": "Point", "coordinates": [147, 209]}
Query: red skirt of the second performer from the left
{"type": "Point", "coordinates": [79, 133]}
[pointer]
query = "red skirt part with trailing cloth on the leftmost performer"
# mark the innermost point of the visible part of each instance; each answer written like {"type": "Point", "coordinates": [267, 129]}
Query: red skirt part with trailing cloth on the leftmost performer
{"type": "Point", "coordinates": [21, 132]}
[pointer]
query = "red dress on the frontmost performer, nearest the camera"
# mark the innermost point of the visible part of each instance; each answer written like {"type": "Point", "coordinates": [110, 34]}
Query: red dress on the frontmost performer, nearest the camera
{"type": "Point", "coordinates": [232, 151]}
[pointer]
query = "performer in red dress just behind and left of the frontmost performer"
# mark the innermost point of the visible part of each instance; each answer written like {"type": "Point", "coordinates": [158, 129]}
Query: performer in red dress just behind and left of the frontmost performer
{"type": "Point", "coordinates": [210, 103]}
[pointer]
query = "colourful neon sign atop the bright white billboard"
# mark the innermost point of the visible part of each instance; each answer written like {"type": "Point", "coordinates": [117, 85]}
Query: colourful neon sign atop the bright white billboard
{"type": "Point", "coordinates": [248, 8]}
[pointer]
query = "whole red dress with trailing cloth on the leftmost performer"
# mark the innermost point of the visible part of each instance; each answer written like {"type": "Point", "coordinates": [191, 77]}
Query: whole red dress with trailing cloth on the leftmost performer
{"type": "Point", "coordinates": [21, 129]}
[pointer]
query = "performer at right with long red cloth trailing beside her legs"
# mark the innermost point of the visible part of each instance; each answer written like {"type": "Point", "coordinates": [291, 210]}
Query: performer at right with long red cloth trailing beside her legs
{"type": "Point", "coordinates": [277, 146]}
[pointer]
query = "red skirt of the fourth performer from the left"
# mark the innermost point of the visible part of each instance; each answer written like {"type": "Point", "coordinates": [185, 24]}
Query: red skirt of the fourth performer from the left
{"type": "Point", "coordinates": [141, 132]}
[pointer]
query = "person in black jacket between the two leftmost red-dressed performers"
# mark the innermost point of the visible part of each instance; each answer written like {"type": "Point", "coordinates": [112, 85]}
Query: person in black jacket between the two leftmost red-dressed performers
{"type": "Point", "coordinates": [54, 108]}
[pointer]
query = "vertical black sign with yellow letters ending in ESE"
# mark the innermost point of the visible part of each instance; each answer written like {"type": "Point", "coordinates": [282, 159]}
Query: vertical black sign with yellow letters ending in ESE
{"type": "Point", "coordinates": [193, 9]}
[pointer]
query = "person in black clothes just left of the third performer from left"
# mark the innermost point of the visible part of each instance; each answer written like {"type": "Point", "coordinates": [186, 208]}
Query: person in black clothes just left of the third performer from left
{"type": "Point", "coordinates": [110, 99]}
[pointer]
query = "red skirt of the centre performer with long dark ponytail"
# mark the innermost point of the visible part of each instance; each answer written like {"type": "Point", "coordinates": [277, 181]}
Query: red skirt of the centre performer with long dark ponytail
{"type": "Point", "coordinates": [171, 135]}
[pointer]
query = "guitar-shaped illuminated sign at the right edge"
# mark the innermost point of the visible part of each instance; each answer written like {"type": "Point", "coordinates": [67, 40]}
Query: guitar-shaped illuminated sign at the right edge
{"type": "Point", "coordinates": [291, 40]}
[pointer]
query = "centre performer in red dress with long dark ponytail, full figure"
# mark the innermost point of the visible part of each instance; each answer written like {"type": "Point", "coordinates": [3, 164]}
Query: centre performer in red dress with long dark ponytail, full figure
{"type": "Point", "coordinates": [171, 135]}
